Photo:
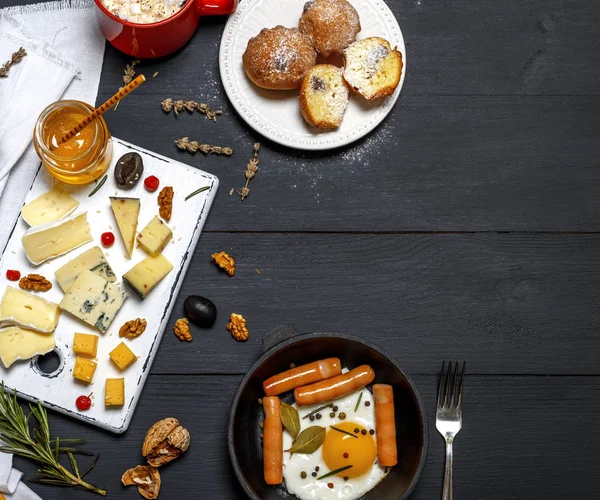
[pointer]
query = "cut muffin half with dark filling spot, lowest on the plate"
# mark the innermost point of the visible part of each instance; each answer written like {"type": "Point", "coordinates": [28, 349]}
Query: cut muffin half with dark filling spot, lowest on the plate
{"type": "Point", "coordinates": [324, 96]}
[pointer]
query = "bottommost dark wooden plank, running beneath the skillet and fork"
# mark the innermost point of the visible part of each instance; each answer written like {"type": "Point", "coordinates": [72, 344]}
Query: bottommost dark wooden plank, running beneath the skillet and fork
{"type": "Point", "coordinates": [523, 437]}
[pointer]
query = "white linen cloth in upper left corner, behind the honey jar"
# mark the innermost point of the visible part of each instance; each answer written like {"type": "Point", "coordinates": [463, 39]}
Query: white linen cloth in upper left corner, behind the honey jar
{"type": "Point", "coordinates": [63, 43]}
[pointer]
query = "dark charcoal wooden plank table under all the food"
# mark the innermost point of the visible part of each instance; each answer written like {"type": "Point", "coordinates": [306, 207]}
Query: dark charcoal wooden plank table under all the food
{"type": "Point", "coordinates": [467, 225]}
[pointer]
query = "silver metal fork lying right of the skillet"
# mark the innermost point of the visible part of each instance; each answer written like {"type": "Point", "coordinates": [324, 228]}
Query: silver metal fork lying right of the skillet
{"type": "Point", "coordinates": [448, 420]}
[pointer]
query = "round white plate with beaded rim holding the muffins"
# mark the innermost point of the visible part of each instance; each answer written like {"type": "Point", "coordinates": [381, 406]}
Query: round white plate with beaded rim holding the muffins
{"type": "Point", "coordinates": [276, 114]}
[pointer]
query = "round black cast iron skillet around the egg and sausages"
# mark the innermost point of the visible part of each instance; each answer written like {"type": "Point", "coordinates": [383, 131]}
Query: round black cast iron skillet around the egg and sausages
{"type": "Point", "coordinates": [284, 346]}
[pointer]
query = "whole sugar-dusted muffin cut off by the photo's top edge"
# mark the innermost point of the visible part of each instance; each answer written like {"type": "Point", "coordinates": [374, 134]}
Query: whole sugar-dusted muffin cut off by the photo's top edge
{"type": "Point", "coordinates": [332, 25]}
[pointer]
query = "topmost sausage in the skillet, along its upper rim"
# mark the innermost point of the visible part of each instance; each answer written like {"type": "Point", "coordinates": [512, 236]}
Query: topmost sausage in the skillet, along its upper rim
{"type": "Point", "coordinates": [302, 375]}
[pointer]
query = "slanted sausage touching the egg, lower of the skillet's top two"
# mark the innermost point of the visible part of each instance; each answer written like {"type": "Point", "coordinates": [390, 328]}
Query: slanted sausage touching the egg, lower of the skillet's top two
{"type": "Point", "coordinates": [335, 387]}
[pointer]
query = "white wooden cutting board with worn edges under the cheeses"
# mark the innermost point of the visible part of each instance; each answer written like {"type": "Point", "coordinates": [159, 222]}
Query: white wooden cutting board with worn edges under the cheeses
{"type": "Point", "coordinates": [59, 390]}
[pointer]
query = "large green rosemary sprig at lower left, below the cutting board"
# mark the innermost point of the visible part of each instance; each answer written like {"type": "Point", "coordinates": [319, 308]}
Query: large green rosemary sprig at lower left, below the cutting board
{"type": "Point", "coordinates": [39, 448]}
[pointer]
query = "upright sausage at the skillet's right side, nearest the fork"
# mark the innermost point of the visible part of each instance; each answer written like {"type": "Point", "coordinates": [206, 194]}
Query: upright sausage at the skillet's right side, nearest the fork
{"type": "Point", "coordinates": [385, 424]}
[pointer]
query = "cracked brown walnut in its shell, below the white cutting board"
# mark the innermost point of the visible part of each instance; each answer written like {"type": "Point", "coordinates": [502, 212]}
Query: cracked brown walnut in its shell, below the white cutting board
{"type": "Point", "coordinates": [165, 441]}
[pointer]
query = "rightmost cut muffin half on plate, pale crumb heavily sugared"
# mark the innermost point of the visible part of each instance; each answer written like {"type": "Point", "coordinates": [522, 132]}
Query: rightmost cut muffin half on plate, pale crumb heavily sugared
{"type": "Point", "coordinates": [372, 68]}
